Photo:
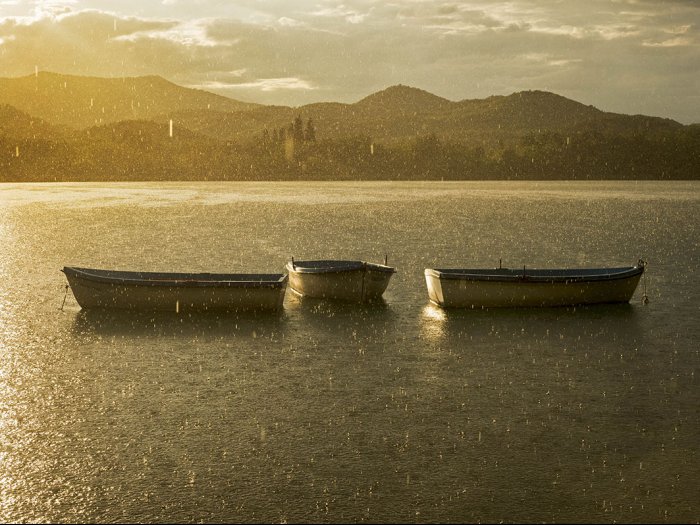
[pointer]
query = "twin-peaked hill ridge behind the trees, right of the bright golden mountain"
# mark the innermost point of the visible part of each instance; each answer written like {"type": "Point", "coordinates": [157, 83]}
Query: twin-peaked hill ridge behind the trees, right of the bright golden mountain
{"type": "Point", "coordinates": [399, 113]}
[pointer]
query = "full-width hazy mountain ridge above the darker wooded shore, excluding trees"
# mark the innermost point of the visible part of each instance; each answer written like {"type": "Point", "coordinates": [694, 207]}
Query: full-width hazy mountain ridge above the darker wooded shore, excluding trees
{"type": "Point", "coordinates": [393, 113]}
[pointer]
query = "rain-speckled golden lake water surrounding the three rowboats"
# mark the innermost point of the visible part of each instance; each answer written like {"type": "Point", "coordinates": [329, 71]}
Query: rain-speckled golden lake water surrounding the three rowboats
{"type": "Point", "coordinates": [399, 412]}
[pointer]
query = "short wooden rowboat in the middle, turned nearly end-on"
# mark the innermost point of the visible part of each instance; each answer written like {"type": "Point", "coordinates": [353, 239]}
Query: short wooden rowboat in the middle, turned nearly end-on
{"type": "Point", "coordinates": [354, 281]}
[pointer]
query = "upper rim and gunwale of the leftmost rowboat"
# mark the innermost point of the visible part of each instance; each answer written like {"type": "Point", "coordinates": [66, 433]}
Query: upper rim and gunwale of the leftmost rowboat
{"type": "Point", "coordinates": [178, 280]}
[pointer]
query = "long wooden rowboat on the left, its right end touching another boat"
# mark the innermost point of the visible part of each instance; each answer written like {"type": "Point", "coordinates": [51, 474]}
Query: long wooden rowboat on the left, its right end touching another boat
{"type": "Point", "coordinates": [175, 292]}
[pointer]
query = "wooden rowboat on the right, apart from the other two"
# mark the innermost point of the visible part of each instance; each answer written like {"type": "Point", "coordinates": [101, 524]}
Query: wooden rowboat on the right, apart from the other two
{"type": "Point", "coordinates": [505, 287]}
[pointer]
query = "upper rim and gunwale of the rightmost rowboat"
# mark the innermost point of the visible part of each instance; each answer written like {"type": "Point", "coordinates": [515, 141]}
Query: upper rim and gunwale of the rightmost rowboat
{"type": "Point", "coordinates": [535, 275]}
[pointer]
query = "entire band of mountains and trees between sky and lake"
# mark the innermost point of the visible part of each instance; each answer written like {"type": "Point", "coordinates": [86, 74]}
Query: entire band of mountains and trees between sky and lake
{"type": "Point", "coordinates": [63, 127]}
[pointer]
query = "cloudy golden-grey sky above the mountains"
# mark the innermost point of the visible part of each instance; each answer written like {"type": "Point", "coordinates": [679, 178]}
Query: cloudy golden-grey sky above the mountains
{"type": "Point", "coordinates": [626, 56]}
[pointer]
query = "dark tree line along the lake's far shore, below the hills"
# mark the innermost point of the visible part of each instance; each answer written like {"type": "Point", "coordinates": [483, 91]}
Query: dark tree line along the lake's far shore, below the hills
{"type": "Point", "coordinates": [298, 152]}
